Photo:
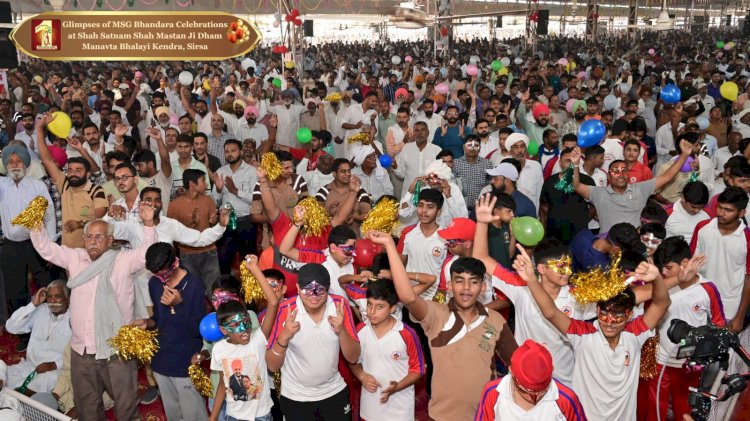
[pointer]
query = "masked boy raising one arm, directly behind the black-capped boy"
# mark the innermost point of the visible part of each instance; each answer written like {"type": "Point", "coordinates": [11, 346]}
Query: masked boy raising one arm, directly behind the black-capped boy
{"type": "Point", "coordinates": [337, 258]}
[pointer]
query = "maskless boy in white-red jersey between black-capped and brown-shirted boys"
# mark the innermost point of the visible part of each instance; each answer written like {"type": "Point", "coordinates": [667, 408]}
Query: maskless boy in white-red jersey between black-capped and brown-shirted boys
{"type": "Point", "coordinates": [392, 360]}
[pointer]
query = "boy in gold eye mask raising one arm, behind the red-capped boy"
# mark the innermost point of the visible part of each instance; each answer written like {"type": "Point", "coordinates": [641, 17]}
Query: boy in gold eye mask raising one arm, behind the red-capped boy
{"type": "Point", "coordinates": [553, 263]}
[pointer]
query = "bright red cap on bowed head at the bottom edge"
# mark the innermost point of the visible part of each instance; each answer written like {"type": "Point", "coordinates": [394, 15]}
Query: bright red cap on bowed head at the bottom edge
{"type": "Point", "coordinates": [532, 366]}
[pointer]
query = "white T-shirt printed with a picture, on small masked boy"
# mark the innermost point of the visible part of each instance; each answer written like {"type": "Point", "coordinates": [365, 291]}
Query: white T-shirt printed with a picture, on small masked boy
{"type": "Point", "coordinates": [250, 360]}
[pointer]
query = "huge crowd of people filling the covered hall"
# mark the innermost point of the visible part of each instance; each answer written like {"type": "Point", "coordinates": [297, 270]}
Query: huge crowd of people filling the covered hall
{"type": "Point", "coordinates": [157, 195]}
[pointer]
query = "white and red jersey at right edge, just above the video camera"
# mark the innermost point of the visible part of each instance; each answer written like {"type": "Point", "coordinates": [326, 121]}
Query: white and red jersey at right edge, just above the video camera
{"type": "Point", "coordinates": [728, 260]}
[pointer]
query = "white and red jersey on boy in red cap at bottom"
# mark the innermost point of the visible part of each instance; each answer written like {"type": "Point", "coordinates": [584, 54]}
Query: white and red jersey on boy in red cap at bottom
{"type": "Point", "coordinates": [560, 403]}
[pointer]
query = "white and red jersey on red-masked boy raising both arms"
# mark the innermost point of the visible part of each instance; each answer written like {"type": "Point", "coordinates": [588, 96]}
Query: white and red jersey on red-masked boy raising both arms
{"type": "Point", "coordinates": [606, 379]}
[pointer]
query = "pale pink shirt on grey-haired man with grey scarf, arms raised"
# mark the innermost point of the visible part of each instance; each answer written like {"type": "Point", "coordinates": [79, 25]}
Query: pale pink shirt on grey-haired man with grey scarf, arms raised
{"type": "Point", "coordinates": [82, 298]}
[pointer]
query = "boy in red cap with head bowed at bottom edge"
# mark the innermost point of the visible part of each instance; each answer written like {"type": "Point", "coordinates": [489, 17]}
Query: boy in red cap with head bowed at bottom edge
{"type": "Point", "coordinates": [529, 392]}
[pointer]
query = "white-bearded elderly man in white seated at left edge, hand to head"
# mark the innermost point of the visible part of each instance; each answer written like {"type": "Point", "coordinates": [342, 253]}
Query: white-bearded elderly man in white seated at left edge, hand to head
{"type": "Point", "coordinates": [48, 320]}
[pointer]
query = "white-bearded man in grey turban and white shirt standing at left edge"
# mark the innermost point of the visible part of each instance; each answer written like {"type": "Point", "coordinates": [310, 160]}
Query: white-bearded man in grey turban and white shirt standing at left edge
{"type": "Point", "coordinates": [17, 256]}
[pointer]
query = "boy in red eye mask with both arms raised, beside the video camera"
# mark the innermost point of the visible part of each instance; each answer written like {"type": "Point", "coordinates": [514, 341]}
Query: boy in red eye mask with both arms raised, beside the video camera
{"type": "Point", "coordinates": [607, 352]}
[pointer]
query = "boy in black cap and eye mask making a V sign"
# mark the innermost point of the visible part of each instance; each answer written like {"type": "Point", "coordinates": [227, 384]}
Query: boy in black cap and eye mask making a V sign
{"type": "Point", "coordinates": [307, 350]}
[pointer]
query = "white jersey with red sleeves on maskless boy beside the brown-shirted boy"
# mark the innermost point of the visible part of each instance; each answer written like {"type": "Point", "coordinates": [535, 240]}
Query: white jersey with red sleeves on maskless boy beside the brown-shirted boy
{"type": "Point", "coordinates": [389, 358]}
